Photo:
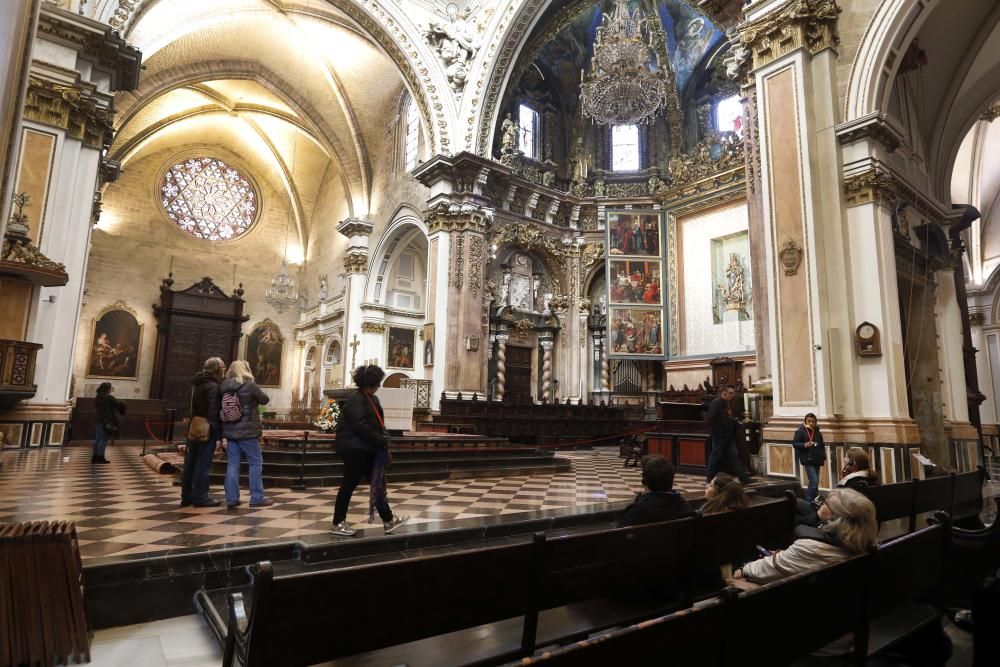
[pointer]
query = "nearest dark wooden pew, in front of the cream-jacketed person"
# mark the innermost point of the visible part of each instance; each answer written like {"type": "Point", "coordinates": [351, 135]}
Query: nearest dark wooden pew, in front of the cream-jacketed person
{"type": "Point", "coordinates": [880, 597]}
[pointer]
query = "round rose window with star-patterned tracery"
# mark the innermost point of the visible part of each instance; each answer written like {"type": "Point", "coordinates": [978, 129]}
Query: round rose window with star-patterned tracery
{"type": "Point", "coordinates": [209, 199]}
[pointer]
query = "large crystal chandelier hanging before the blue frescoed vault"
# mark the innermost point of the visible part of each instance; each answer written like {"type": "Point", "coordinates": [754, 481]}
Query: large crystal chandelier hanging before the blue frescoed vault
{"type": "Point", "coordinates": [620, 89]}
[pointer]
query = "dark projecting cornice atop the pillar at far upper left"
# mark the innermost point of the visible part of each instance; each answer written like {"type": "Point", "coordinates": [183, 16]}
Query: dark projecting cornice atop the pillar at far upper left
{"type": "Point", "coordinates": [96, 43]}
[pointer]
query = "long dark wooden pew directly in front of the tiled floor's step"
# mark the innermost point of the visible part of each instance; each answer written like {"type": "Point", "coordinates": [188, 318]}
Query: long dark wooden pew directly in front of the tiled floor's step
{"type": "Point", "coordinates": [516, 597]}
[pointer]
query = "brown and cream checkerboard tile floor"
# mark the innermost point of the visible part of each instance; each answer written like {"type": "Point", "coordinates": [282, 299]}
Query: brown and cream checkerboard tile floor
{"type": "Point", "coordinates": [126, 509]}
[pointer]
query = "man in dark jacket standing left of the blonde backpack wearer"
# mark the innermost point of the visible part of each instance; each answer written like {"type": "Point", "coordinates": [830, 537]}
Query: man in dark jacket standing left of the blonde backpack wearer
{"type": "Point", "coordinates": [205, 398]}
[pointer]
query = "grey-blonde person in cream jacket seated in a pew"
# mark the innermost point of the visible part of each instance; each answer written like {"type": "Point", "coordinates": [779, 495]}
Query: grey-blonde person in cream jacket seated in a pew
{"type": "Point", "coordinates": [848, 528]}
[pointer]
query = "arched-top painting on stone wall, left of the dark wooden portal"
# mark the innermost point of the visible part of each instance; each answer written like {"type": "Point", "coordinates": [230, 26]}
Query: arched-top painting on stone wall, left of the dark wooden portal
{"type": "Point", "coordinates": [115, 345]}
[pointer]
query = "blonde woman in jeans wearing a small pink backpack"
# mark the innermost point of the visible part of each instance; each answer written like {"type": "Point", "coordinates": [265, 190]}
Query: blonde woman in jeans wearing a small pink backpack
{"type": "Point", "coordinates": [241, 428]}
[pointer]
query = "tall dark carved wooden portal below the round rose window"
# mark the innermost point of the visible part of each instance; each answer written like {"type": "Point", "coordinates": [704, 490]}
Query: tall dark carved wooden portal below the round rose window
{"type": "Point", "coordinates": [192, 325]}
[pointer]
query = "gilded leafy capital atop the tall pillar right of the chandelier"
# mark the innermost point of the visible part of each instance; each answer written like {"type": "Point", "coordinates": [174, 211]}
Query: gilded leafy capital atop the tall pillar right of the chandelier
{"type": "Point", "coordinates": [808, 24]}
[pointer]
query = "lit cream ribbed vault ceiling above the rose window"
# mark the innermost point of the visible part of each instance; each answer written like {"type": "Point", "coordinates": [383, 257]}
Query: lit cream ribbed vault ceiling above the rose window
{"type": "Point", "coordinates": [295, 88]}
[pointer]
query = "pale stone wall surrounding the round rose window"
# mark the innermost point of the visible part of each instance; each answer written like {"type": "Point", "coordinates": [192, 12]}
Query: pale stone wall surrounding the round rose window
{"type": "Point", "coordinates": [134, 247]}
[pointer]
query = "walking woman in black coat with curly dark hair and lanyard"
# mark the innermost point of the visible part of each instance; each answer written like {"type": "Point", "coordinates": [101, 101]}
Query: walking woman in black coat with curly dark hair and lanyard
{"type": "Point", "coordinates": [363, 443]}
